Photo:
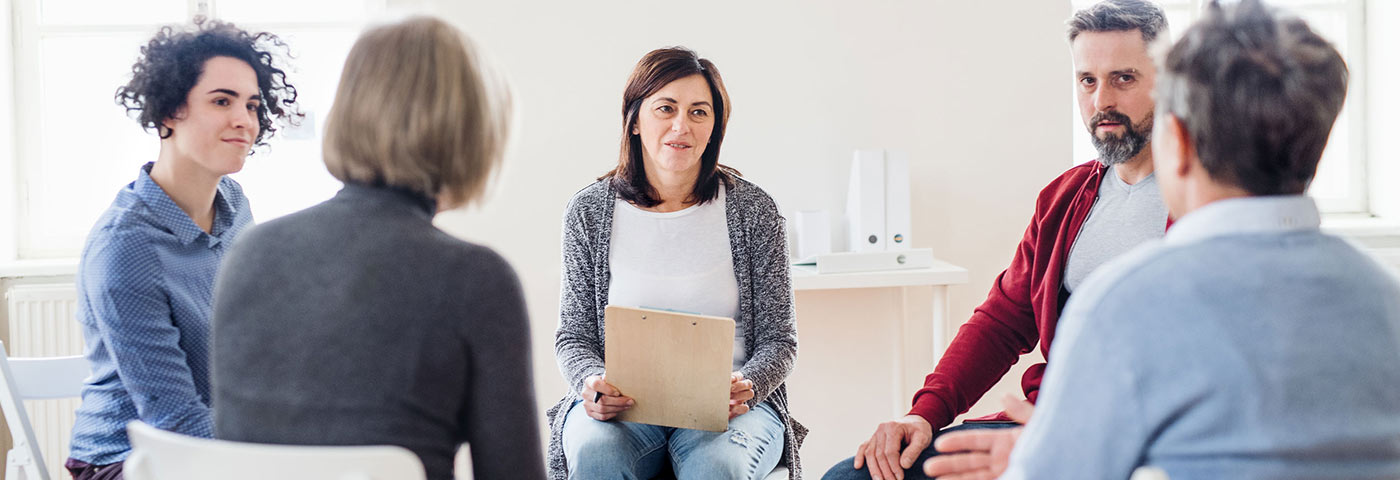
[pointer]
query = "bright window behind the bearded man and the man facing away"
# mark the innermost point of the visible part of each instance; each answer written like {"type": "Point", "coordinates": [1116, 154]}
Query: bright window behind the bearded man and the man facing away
{"type": "Point", "coordinates": [1342, 185]}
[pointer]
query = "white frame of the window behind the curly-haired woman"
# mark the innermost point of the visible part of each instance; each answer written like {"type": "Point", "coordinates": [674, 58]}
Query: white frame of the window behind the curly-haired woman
{"type": "Point", "coordinates": [20, 72]}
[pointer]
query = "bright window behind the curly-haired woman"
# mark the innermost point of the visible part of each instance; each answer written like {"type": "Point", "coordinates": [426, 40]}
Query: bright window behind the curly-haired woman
{"type": "Point", "coordinates": [75, 148]}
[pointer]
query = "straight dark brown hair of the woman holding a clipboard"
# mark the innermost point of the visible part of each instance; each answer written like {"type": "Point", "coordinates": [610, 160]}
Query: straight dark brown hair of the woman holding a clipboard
{"type": "Point", "coordinates": [654, 72]}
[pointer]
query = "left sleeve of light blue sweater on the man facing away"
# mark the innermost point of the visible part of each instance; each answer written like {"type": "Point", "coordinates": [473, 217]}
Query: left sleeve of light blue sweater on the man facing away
{"type": "Point", "coordinates": [1091, 408]}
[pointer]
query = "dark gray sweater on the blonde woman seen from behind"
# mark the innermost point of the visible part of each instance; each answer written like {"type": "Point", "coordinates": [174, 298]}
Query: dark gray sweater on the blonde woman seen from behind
{"type": "Point", "coordinates": [358, 323]}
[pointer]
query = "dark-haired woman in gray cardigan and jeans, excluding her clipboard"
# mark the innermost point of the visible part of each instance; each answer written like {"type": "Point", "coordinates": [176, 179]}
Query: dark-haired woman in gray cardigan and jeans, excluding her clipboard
{"type": "Point", "coordinates": [671, 227]}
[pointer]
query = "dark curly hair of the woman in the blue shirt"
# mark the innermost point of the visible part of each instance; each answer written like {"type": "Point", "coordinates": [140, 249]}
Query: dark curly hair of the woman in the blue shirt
{"type": "Point", "coordinates": [174, 59]}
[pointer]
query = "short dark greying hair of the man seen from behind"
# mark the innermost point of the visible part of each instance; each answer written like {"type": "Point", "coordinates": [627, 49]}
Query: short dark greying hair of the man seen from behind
{"type": "Point", "coordinates": [1258, 96]}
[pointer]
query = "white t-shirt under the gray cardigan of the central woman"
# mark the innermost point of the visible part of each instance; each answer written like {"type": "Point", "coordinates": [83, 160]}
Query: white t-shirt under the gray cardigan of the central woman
{"type": "Point", "coordinates": [677, 261]}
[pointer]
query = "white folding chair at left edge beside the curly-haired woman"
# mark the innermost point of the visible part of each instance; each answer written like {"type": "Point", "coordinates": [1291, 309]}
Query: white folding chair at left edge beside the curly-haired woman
{"type": "Point", "coordinates": [34, 380]}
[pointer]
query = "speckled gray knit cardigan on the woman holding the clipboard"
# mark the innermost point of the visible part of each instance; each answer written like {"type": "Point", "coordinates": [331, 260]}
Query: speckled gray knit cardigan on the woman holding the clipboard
{"type": "Point", "coordinates": [761, 265]}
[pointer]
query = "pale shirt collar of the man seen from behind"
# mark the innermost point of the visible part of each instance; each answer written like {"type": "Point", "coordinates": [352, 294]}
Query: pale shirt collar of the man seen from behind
{"type": "Point", "coordinates": [1261, 215]}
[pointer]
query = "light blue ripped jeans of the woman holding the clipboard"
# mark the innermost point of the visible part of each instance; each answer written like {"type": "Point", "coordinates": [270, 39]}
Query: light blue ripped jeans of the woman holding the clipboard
{"type": "Point", "coordinates": [622, 450]}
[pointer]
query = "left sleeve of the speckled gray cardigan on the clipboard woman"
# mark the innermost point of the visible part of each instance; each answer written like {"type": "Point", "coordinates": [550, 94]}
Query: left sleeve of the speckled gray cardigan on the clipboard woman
{"type": "Point", "coordinates": [577, 344]}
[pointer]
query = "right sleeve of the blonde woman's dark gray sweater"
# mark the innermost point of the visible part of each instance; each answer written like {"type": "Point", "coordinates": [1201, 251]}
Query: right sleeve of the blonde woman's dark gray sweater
{"type": "Point", "coordinates": [502, 422]}
